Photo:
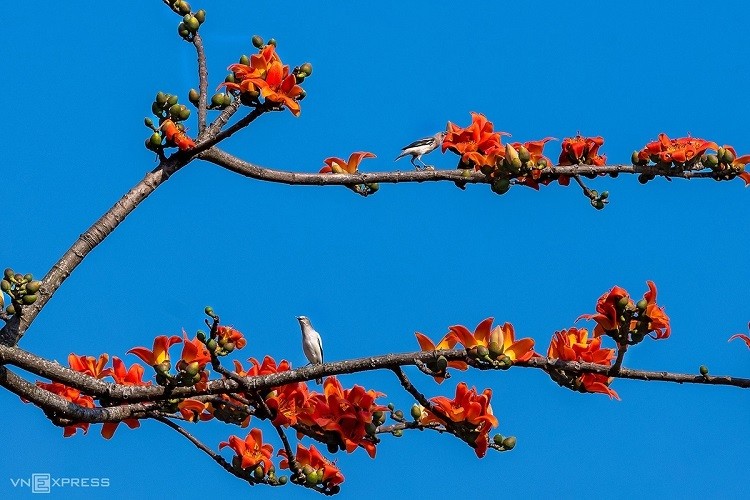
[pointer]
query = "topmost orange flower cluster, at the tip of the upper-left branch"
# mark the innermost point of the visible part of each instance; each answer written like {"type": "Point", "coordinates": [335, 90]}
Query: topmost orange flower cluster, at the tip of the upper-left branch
{"type": "Point", "coordinates": [264, 75]}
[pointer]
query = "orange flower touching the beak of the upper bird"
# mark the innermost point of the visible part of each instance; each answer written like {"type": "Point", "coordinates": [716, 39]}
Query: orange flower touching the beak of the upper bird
{"type": "Point", "coordinates": [474, 141]}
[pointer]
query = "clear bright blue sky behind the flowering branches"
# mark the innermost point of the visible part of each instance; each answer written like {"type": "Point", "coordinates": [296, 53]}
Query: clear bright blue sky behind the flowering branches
{"type": "Point", "coordinates": [370, 272]}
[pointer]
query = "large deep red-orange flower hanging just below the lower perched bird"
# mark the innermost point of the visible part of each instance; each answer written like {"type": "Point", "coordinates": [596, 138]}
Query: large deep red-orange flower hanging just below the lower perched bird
{"type": "Point", "coordinates": [345, 412]}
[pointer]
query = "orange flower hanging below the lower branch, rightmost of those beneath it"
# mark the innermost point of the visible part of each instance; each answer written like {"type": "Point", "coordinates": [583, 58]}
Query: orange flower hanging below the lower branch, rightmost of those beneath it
{"type": "Point", "coordinates": [467, 408]}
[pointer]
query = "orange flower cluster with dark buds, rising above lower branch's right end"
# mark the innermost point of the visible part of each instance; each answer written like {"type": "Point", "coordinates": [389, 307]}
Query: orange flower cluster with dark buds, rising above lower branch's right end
{"type": "Point", "coordinates": [617, 316]}
